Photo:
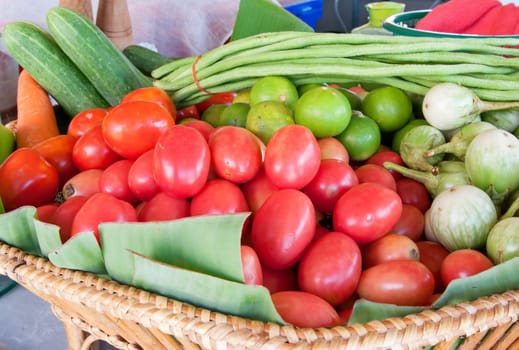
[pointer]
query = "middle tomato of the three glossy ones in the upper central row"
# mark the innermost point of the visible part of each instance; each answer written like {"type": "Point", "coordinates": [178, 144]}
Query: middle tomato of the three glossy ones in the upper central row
{"type": "Point", "coordinates": [235, 154]}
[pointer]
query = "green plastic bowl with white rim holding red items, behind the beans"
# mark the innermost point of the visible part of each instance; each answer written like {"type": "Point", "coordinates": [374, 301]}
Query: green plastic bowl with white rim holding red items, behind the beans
{"type": "Point", "coordinates": [403, 24]}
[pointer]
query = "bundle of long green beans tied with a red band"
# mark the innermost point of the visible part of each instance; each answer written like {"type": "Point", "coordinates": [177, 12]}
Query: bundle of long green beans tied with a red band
{"type": "Point", "coordinates": [488, 66]}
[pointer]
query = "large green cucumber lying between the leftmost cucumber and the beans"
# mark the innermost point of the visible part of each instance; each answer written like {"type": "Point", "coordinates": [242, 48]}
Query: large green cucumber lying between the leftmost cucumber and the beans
{"type": "Point", "coordinates": [94, 54]}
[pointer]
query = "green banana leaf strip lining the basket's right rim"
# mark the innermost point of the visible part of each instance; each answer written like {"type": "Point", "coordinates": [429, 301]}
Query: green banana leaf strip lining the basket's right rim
{"type": "Point", "coordinates": [495, 280]}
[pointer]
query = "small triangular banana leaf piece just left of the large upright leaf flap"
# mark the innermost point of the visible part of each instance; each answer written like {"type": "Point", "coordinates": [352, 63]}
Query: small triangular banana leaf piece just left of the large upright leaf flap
{"type": "Point", "coordinates": [80, 252]}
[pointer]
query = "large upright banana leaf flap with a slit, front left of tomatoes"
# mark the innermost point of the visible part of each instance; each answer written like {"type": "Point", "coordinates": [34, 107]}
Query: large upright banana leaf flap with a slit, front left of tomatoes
{"type": "Point", "coordinates": [208, 244]}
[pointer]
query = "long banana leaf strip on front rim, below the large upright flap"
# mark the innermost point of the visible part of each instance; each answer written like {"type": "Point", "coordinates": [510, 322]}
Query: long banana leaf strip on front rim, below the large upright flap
{"type": "Point", "coordinates": [204, 290]}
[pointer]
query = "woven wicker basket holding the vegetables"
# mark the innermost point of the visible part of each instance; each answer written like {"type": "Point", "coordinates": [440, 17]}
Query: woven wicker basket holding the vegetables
{"type": "Point", "coordinates": [94, 308]}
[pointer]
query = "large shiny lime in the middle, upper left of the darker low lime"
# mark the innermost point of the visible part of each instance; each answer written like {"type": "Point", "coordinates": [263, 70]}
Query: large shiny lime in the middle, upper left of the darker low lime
{"type": "Point", "coordinates": [323, 110]}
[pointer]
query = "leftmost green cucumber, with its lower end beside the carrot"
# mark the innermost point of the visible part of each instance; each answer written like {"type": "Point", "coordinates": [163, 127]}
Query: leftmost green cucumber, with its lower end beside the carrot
{"type": "Point", "coordinates": [35, 50]}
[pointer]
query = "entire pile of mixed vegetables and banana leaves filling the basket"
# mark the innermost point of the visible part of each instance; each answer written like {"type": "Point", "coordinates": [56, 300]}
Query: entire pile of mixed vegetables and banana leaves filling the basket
{"type": "Point", "coordinates": [271, 176]}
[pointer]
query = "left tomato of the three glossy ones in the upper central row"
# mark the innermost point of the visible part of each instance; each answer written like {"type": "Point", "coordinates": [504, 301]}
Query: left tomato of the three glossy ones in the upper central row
{"type": "Point", "coordinates": [181, 161]}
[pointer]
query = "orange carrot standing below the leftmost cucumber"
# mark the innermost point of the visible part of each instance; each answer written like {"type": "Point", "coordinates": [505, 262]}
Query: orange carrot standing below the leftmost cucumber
{"type": "Point", "coordinates": [36, 120]}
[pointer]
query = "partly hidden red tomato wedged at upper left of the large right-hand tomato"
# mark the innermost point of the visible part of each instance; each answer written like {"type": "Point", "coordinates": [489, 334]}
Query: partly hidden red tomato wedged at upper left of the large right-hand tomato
{"type": "Point", "coordinates": [333, 179]}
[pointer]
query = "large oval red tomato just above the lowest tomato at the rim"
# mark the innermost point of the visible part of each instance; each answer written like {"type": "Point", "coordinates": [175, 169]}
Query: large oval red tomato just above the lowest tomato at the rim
{"type": "Point", "coordinates": [331, 268]}
